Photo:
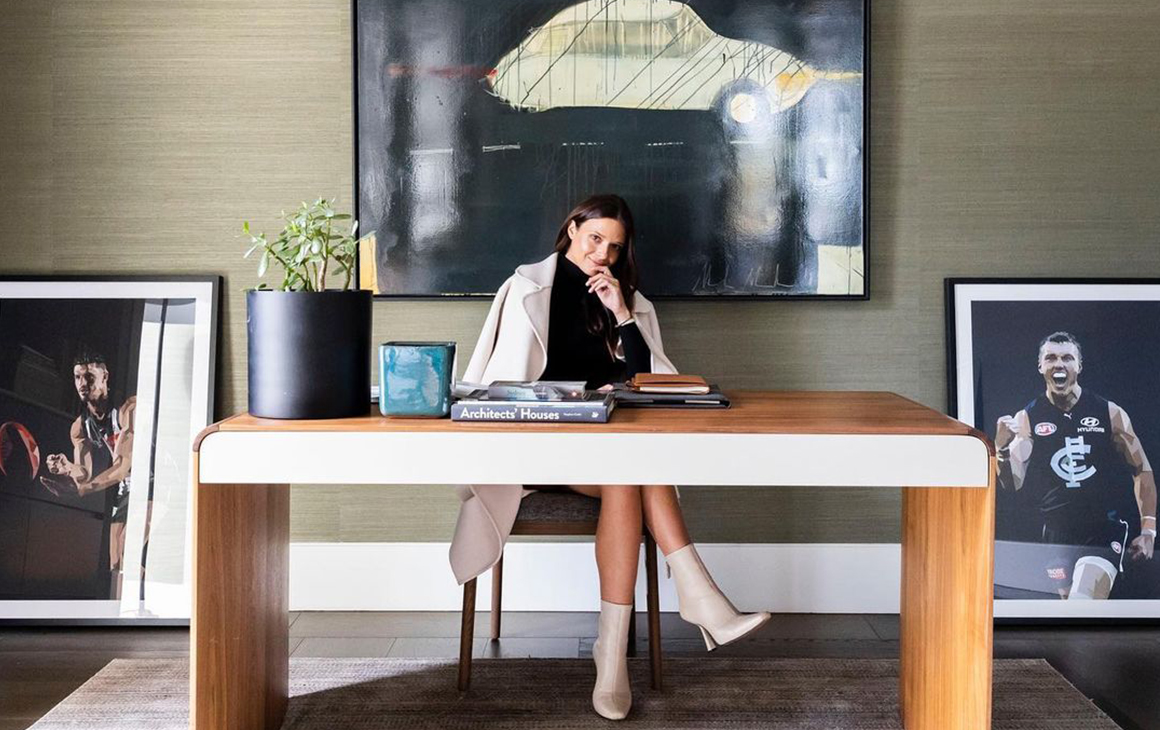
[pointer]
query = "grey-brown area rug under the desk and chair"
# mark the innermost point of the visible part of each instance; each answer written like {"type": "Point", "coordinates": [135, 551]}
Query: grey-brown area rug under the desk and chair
{"type": "Point", "coordinates": [555, 695]}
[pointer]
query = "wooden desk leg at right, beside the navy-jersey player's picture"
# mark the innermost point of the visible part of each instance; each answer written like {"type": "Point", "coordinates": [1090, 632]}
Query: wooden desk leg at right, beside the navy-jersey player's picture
{"type": "Point", "coordinates": [948, 566]}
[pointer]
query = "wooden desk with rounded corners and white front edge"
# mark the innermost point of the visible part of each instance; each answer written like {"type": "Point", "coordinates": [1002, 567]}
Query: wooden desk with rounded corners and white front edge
{"type": "Point", "coordinates": [243, 467]}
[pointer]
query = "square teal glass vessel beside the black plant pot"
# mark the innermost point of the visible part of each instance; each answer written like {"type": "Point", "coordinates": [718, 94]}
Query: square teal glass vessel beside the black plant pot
{"type": "Point", "coordinates": [416, 379]}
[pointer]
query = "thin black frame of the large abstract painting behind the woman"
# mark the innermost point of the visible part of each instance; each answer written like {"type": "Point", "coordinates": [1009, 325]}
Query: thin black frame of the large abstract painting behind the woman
{"type": "Point", "coordinates": [865, 194]}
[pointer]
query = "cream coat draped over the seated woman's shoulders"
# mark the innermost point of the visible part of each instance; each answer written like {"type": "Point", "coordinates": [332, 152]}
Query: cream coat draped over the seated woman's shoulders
{"type": "Point", "coordinates": [513, 346]}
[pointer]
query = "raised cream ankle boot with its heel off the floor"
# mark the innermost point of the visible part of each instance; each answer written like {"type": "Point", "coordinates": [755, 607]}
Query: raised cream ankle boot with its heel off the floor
{"type": "Point", "coordinates": [702, 603]}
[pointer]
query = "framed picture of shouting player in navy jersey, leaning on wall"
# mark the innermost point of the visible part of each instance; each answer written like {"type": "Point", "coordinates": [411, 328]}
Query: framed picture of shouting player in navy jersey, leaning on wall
{"type": "Point", "coordinates": [1061, 373]}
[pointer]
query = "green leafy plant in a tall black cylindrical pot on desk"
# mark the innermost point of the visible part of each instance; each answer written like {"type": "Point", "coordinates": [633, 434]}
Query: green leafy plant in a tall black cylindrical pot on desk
{"type": "Point", "coordinates": [309, 339]}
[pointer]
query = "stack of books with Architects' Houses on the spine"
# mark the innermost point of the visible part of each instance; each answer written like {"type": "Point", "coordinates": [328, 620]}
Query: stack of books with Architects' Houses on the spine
{"type": "Point", "coordinates": [542, 402]}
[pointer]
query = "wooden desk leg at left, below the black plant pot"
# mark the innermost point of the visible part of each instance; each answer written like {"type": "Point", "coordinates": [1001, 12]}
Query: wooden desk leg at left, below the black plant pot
{"type": "Point", "coordinates": [240, 653]}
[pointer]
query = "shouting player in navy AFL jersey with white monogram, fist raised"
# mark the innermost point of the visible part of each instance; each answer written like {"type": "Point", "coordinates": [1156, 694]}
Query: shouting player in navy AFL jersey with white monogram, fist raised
{"type": "Point", "coordinates": [1064, 449]}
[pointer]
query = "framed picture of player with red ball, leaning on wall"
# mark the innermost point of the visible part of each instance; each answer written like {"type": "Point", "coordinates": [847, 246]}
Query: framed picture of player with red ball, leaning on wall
{"type": "Point", "coordinates": [104, 385]}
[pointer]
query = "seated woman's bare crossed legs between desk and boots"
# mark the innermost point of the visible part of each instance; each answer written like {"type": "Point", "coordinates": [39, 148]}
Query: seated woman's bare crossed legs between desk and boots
{"type": "Point", "coordinates": [619, 532]}
